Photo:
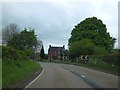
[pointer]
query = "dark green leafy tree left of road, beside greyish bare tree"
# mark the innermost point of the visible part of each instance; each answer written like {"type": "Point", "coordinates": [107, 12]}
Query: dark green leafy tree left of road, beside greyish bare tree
{"type": "Point", "coordinates": [25, 41]}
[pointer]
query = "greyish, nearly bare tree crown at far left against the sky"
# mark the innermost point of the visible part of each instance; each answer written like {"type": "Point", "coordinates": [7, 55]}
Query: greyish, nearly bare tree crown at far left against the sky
{"type": "Point", "coordinates": [8, 32]}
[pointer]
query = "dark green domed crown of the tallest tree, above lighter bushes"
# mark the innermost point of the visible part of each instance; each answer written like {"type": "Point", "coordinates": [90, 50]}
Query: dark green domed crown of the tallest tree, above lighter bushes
{"type": "Point", "coordinates": [93, 29]}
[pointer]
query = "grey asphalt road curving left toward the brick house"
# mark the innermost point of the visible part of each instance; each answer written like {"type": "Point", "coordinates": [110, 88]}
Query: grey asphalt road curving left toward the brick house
{"type": "Point", "coordinates": [71, 76]}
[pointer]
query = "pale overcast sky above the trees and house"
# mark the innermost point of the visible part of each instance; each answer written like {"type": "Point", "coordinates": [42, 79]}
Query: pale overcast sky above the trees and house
{"type": "Point", "coordinates": [53, 21]}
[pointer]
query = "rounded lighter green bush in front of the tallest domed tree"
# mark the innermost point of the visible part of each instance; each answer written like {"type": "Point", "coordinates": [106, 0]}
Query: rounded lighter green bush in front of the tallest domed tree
{"type": "Point", "coordinates": [83, 47]}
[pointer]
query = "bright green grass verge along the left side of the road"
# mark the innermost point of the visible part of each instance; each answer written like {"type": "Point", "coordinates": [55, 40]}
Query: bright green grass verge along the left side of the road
{"type": "Point", "coordinates": [13, 73]}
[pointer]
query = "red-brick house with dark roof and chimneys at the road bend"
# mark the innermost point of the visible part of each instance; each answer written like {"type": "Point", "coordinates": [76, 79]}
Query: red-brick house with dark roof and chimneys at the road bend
{"type": "Point", "coordinates": [56, 52]}
